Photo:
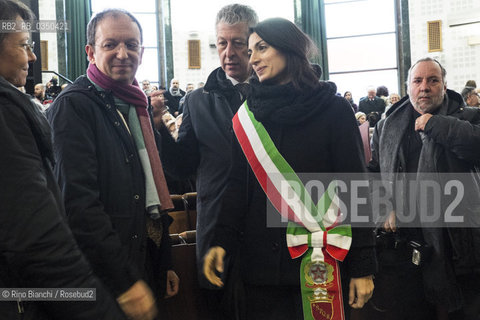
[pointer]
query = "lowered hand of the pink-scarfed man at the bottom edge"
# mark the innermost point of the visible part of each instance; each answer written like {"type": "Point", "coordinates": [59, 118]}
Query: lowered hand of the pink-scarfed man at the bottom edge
{"type": "Point", "coordinates": [138, 302]}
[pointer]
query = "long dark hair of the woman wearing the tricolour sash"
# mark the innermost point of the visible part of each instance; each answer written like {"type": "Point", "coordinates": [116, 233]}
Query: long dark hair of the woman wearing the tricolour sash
{"type": "Point", "coordinates": [297, 47]}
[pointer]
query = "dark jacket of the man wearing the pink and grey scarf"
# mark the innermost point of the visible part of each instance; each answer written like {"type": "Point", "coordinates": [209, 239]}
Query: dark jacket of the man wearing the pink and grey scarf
{"type": "Point", "coordinates": [102, 180]}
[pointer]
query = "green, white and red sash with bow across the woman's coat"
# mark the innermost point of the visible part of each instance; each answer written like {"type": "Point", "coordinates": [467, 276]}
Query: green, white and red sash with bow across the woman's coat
{"type": "Point", "coordinates": [313, 230]}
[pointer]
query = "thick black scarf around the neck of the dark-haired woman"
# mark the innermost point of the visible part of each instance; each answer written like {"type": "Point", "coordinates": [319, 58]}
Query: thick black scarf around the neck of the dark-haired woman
{"type": "Point", "coordinates": [284, 104]}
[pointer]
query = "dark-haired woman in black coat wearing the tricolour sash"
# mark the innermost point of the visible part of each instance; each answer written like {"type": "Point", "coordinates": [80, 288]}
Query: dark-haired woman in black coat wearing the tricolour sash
{"type": "Point", "coordinates": [295, 260]}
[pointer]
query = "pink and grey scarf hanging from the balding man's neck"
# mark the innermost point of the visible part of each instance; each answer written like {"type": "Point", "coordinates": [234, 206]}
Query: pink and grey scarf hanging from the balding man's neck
{"type": "Point", "coordinates": [132, 94]}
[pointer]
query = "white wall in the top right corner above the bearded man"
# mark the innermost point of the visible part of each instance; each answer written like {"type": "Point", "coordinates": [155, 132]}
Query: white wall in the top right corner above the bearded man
{"type": "Point", "coordinates": [461, 60]}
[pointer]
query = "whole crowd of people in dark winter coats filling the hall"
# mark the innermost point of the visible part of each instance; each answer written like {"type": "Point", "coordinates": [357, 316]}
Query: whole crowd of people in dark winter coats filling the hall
{"type": "Point", "coordinates": [86, 185]}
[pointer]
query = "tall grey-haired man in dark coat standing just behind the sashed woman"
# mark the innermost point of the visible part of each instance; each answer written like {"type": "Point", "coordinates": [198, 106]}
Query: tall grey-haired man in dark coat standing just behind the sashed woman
{"type": "Point", "coordinates": [205, 136]}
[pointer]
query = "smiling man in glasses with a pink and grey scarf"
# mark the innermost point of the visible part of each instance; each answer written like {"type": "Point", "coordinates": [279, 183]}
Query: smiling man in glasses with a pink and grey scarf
{"type": "Point", "coordinates": [104, 166]}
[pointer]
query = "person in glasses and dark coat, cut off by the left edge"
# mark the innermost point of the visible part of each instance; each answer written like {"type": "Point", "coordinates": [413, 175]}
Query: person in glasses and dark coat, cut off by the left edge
{"type": "Point", "coordinates": [37, 249]}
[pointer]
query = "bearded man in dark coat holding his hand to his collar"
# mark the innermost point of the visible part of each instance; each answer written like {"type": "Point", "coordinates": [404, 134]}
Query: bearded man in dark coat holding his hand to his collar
{"type": "Point", "coordinates": [430, 132]}
